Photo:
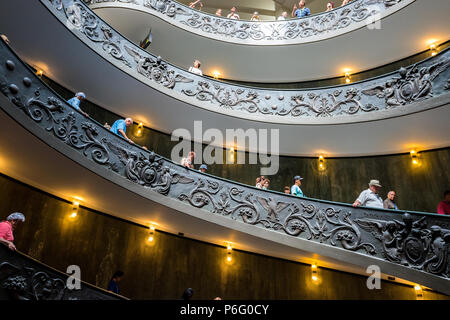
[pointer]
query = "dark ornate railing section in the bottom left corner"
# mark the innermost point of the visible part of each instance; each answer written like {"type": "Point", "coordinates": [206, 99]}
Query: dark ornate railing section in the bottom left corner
{"type": "Point", "coordinates": [23, 278]}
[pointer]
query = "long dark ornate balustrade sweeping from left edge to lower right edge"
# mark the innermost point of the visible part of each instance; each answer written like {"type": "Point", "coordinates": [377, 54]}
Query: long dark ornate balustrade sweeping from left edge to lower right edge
{"type": "Point", "coordinates": [412, 244]}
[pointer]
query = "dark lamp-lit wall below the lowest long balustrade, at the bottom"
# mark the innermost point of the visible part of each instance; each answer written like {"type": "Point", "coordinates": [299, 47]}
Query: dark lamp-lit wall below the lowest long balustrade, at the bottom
{"type": "Point", "coordinates": [101, 244]}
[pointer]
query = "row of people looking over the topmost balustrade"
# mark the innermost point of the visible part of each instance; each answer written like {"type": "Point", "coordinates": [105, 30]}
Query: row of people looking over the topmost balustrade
{"type": "Point", "coordinates": [299, 11]}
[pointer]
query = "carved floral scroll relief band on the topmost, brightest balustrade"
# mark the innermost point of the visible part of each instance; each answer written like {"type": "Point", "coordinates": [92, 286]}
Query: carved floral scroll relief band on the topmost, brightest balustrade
{"type": "Point", "coordinates": [319, 24]}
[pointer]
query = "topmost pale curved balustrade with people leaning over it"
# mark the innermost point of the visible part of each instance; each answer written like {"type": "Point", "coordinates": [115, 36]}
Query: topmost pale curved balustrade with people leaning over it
{"type": "Point", "coordinates": [355, 15]}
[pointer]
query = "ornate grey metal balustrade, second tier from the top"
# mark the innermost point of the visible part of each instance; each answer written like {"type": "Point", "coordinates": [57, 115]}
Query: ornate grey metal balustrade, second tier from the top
{"type": "Point", "coordinates": [391, 95]}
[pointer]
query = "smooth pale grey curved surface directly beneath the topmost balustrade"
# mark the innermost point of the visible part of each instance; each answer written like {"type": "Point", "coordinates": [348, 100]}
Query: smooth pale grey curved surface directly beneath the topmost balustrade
{"type": "Point", "coordinates": [402, 34]}
